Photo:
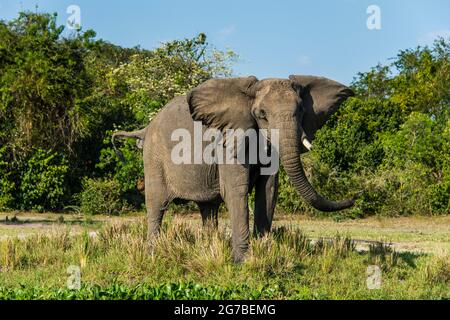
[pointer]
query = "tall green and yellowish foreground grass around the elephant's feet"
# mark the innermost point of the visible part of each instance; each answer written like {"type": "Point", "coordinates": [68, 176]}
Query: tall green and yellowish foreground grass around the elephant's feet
{"type": "Point", "coordinates": [188, 263]}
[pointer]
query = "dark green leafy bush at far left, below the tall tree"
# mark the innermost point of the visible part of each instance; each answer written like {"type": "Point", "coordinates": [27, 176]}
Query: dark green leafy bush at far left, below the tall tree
{"type": "Point", "coordinates": [43, 181]}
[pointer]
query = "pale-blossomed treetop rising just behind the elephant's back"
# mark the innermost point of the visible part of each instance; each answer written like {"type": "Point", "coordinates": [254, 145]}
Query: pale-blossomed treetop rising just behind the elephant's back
{"type": "Point", "coordinates": [173, 69]}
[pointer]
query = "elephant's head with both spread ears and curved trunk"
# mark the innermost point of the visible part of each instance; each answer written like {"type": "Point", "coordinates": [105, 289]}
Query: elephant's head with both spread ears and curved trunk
{"type": "Point", "coordinates": [297, 106]}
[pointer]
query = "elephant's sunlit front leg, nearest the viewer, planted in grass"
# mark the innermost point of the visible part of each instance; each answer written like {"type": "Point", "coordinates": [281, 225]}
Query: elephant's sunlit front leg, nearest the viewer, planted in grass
{"type": "Point", "coordinates": [234, 190]}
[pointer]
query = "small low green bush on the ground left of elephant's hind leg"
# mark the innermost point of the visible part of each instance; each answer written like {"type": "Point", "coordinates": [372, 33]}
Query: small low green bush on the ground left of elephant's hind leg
{"type": "Point", "coordinates": [101, 196]}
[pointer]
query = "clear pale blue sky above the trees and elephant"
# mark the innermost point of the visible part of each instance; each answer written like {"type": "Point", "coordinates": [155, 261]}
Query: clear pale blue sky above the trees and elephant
{"type": "Point", "coordinates": [273, 38]}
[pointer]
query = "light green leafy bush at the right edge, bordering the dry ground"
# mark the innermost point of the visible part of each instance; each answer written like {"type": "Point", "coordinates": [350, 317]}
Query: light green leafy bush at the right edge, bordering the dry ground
{"type": "Point", "coordinates": [418, 155]}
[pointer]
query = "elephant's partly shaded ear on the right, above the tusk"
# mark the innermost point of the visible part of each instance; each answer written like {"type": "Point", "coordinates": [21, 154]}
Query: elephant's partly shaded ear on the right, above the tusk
{"type": "Point", "coordinates": [321, 98]}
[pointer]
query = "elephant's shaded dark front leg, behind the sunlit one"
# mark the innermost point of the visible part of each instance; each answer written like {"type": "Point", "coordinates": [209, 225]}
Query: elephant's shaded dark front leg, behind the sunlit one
{"type": "Point", "coordinates": [266, 192]}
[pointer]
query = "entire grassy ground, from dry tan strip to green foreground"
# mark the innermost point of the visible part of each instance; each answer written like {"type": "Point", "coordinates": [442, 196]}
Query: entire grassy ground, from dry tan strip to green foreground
{"type": "Point", "coordinates": [303, 258]}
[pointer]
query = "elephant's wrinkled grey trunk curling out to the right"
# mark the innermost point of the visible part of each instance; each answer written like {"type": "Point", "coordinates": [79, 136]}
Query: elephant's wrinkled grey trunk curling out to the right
{"type": "Point", "coordinates": [290, 158]}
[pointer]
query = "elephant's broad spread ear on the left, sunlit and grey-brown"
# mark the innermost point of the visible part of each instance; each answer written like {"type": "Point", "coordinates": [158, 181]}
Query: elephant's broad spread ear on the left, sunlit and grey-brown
{"type": "Point", "coordinates": [223, 103]}
